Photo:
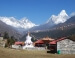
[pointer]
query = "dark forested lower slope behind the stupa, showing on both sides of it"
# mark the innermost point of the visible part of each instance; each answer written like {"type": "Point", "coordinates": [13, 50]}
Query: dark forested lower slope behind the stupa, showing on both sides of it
{"type": "Point", "coordinates": [70, 33]}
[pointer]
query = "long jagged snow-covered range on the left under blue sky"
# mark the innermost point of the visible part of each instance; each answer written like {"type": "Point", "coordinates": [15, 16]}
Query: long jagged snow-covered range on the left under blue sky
{"type": "Point", "coordinates": [24, 23]}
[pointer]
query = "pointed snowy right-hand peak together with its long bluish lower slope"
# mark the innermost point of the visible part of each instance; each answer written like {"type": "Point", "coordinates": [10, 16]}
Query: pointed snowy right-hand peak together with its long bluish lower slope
{"type": "Point", "coordinates": [52, 21]}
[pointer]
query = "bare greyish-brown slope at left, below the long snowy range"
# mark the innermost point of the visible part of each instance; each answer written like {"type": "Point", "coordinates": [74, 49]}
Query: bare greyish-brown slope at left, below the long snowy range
{"type": "Point", "coordinates": [9, 30]}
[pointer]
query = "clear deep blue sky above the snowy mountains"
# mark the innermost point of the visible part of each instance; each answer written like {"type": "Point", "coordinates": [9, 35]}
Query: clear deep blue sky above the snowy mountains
{"type": "Point", "coordinates": [37, 11]}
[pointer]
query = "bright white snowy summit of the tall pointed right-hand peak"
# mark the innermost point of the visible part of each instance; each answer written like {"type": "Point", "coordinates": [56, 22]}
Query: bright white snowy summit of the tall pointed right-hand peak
{"type": "Point", "coordinates": [60, 18]}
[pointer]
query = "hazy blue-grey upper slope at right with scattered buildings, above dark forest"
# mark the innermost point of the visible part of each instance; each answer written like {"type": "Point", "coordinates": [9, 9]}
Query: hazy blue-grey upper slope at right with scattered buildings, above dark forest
{"type": "Point", "coordinates": [70, 23]}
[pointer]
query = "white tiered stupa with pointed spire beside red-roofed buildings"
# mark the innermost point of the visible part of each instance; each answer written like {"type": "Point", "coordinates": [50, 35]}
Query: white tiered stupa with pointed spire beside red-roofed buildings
{"type": "Point", "coordinates": [28, 42]}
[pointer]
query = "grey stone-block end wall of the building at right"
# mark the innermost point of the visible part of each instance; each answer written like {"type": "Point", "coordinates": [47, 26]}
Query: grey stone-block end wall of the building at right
{"type": "Point", "coordinates": [66, 46]}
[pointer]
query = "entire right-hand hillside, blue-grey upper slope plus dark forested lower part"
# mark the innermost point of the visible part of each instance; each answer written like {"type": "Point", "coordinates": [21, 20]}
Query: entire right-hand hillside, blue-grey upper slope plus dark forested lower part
{"type": "Point", "coordinates": [61, 30]}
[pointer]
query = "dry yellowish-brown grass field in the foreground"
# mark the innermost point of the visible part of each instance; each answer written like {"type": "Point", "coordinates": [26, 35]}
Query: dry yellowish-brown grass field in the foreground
{"type": "Point", "coordinates": [11, 53]}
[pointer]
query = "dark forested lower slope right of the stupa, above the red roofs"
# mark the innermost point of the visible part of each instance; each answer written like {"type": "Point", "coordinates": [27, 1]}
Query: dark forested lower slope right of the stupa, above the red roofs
{"type": "Point", "coordinates": [55, 33]}
